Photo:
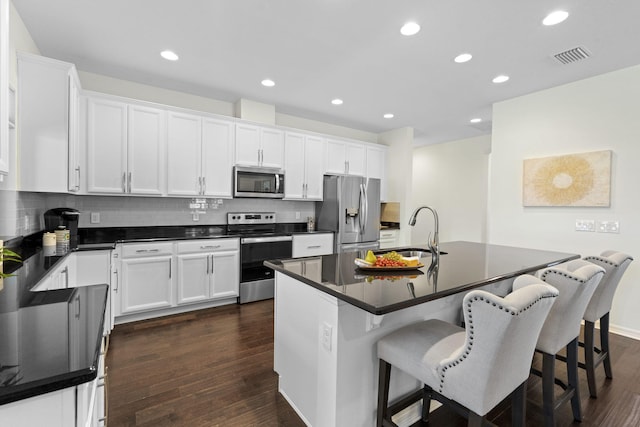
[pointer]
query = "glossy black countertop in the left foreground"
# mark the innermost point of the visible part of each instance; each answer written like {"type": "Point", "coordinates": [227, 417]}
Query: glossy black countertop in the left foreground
{"type": "Point", "coordinates": [49, 340]}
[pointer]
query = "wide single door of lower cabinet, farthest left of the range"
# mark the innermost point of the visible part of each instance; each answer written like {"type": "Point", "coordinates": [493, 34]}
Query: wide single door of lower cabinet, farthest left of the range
{"type": "Point", "coordinates": [146, 284]}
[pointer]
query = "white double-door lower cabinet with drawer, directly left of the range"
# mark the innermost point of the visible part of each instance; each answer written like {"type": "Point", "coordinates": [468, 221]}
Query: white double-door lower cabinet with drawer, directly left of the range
{"type": "Point", "coordinates": [207, 269]}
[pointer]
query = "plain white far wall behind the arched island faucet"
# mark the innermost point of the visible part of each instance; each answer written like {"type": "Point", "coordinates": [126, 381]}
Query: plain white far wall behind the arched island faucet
{"type": "Point", "coordinates": [452, 178]}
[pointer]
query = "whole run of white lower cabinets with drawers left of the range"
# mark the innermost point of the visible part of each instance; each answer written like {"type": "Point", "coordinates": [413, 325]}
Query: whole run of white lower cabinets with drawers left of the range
{"type": "Point", "coordinates": [154, 279]}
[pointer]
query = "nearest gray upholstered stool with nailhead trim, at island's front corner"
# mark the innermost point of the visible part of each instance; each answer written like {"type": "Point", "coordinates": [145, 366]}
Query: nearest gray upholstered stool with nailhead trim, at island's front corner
{"type": "Point", "coordinates": [472, 368]}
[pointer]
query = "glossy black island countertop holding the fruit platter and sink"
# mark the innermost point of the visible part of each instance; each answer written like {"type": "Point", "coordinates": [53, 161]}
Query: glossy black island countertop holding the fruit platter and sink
{"type": "Point", "coordinates": [462, 266]}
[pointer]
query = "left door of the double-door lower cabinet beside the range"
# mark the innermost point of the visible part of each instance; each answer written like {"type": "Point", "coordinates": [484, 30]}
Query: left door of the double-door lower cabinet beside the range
{"type": "Point", "coordinates": [193, 277]}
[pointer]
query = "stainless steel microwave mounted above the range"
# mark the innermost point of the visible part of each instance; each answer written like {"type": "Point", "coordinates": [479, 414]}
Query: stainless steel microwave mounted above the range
{"type": "Point", "coordinates": [251, 181]}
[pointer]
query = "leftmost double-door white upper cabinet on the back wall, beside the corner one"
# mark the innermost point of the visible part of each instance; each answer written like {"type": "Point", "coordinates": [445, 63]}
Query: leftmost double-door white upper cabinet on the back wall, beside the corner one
{"type": "Point", "coordinates": [125, 147]}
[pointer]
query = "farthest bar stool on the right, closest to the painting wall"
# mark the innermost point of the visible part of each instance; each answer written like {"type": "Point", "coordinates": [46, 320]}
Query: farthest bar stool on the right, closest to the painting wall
{"type": "Point", "coordinates": [615, 264]}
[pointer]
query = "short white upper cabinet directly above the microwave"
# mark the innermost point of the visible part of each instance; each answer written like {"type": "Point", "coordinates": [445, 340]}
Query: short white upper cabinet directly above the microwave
{"type": "Point", "coordinates": [259, 146]}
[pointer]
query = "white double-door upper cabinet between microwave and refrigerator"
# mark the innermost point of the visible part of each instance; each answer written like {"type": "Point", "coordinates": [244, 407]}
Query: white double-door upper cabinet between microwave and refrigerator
{"type": "Point", "coordinates": [304, 166]}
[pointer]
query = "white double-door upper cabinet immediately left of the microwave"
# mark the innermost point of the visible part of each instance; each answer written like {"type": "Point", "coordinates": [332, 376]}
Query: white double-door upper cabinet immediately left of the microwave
{"type": "Point", "coordinates": [200, 159]}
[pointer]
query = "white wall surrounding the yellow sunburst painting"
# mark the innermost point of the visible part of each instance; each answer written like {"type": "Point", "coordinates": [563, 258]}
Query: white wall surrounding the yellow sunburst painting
{"type": "Point", "coordinates": [600, 113]}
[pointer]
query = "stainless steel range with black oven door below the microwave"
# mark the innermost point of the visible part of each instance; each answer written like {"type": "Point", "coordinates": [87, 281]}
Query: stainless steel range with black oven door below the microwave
{"type": "Point", "coordinates": [259, 241]}
